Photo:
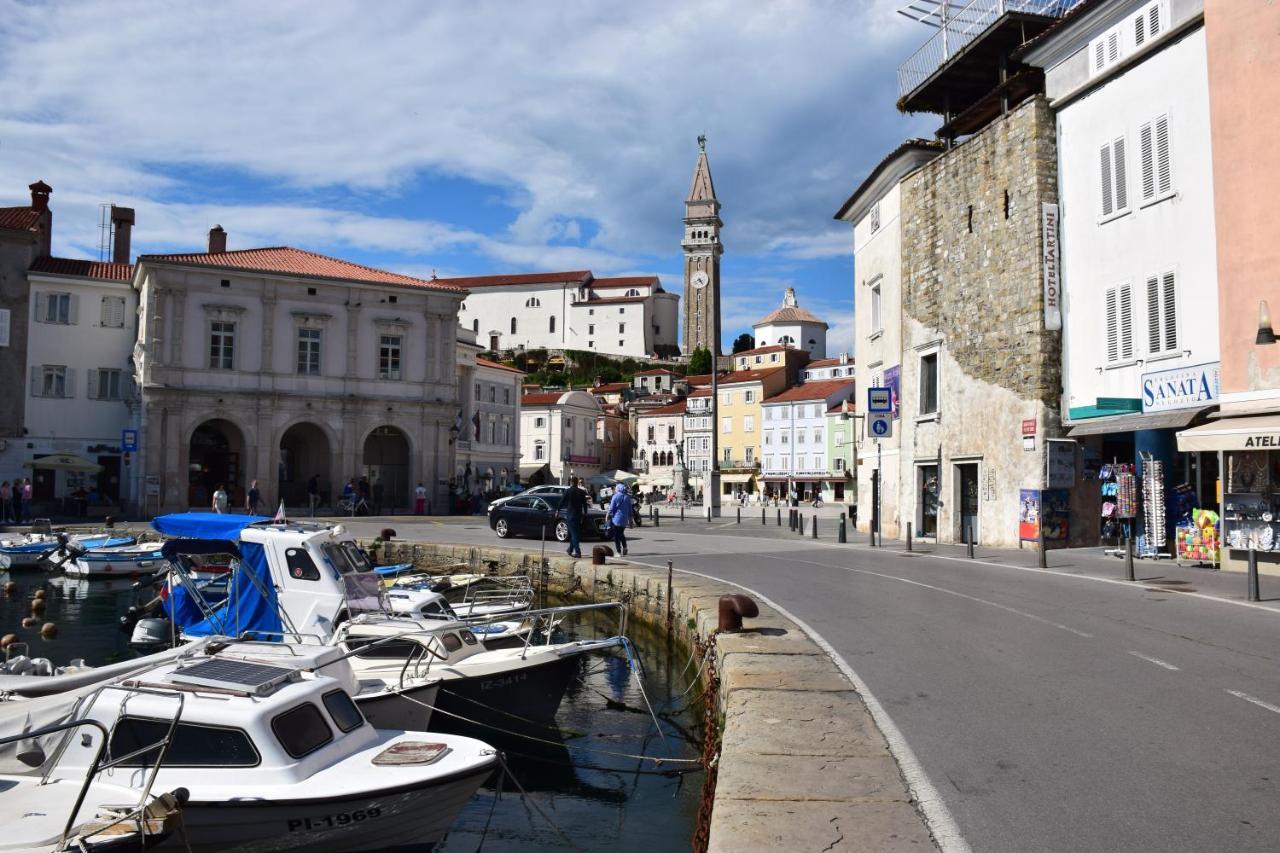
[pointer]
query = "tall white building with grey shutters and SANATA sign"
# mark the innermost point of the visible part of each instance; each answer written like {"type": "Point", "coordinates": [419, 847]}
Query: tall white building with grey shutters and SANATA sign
{"type": "Point", "coordinates": [1128, 81]}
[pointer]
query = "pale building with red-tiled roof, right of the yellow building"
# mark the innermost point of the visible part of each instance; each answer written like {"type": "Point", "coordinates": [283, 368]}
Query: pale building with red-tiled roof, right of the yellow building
{"type": "Point", "coordinates": [794, 439]}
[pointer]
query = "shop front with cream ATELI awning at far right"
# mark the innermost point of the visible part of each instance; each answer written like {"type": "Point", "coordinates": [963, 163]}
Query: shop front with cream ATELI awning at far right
{"type": "Point", "coordinates": [1249, 451]}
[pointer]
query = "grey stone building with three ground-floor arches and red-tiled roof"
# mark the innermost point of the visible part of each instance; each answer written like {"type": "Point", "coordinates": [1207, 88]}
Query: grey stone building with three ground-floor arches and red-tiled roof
{"type": "Point", "coordinates": [280, 366]}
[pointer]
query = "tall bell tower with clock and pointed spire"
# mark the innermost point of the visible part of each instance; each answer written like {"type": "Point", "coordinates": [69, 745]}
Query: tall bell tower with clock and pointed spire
{"type": "Point", "coordinates": [703, 249]}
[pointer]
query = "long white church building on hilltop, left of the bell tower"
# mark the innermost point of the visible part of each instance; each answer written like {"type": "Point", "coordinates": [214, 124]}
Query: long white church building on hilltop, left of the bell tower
{"type": "Point", "coordinates": [623, 317]}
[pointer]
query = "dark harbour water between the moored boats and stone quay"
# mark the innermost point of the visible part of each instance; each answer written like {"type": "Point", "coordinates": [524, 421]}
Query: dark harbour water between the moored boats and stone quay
{"type": "Point", "coordinates": [584, 787]}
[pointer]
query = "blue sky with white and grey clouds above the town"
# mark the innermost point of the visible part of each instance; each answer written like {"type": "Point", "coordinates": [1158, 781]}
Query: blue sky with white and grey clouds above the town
{"type": "Point", "coordinates": [465, 139]}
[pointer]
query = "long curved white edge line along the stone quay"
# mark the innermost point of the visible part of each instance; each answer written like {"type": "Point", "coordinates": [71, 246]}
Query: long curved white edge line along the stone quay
{"type": "Point", "coordinates": [934, 809]}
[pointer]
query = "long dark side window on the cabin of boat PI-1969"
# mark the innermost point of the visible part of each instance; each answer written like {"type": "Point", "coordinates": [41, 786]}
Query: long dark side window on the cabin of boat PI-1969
{"type": "Point", "coordinates": [193, 746]}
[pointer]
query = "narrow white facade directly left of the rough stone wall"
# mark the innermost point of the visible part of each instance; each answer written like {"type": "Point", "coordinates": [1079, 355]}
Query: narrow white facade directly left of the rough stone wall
{"type": "Point", "coordinates": [875, 213]}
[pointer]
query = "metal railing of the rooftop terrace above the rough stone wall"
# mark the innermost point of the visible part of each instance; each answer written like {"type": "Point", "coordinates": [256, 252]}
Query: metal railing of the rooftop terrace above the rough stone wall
{"type": "Point", "coordinates": [959, 25]}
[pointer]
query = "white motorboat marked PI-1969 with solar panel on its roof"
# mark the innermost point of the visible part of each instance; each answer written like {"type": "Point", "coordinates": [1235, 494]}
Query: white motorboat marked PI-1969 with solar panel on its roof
{"type": "Point", "coordinates": [275, 756]}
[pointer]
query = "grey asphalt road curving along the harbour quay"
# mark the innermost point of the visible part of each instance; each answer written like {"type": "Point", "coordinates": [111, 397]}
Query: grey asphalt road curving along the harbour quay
{"type": "Point", "coordinates": [1053, 711]}
